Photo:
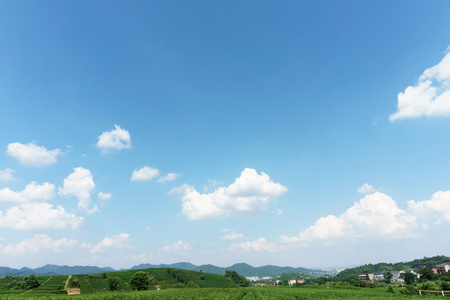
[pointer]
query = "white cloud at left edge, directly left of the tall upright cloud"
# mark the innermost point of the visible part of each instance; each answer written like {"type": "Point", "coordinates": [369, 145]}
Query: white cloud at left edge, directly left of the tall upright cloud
{"type": "Point", "coordinates": [32, 193]}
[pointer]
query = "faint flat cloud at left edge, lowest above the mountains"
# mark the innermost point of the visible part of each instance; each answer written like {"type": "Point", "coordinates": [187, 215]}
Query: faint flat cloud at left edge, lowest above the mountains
{"type": "Point", "coordinates": [37, 244]}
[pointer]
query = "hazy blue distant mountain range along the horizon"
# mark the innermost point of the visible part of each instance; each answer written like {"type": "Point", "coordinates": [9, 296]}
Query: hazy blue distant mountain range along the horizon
{"type": "Point", "coordinates": [242, 268]}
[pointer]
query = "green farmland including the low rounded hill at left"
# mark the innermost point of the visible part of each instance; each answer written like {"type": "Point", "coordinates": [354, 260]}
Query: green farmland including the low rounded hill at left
{"type": "Point", "coordinates": [184, 284]}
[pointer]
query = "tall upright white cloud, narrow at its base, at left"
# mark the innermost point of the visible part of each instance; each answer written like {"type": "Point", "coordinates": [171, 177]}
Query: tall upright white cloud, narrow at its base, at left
{"type": "Point", "coordinates": [80, 184]}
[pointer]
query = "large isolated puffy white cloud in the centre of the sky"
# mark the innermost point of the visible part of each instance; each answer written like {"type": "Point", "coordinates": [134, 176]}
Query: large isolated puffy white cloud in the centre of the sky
{"type": "Point", "coordinates": [249, 194]}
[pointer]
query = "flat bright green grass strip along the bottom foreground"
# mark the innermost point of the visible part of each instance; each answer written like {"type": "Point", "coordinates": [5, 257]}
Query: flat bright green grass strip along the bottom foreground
{"type": "Point", "coordinates": [307, 292]}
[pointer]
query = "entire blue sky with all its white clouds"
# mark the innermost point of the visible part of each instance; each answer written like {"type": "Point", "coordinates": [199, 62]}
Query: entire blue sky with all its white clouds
{"type": "Point", "coordinates": [220, 132]}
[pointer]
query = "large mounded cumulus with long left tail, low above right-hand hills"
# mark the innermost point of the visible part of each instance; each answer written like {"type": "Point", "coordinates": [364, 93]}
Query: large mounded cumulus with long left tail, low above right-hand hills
{"type": "Point", "coordinates": [374, 216]}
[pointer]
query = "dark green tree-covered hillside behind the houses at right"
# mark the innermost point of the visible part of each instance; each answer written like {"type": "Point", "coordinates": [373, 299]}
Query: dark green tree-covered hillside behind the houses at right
{"type": "Point", "coordinates": [417, 263]}
